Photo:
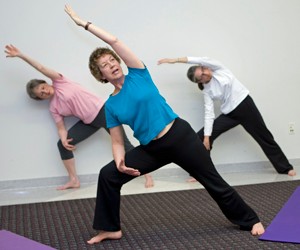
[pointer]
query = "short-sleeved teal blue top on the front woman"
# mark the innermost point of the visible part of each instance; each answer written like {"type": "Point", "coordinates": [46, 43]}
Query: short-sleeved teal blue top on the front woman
{"type": "Point", "coordinates": [139, 105]}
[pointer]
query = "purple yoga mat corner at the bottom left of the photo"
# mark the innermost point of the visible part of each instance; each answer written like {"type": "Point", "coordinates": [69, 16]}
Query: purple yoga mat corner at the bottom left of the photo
{"type": "Point", "coordinates": [11, 241]}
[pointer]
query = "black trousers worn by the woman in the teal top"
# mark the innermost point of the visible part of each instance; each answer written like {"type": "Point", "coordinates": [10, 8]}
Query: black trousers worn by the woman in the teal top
{"type": "Point", "coordinates": [182, 146]}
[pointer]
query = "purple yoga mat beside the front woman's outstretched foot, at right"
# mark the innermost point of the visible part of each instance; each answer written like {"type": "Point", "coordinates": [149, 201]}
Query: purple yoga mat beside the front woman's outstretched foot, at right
{"type": "Point", "coordinates": [285, 227]}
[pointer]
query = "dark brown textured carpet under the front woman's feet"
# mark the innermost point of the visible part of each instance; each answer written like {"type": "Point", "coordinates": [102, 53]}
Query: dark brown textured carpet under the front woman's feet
{"type": "Point", "coordinates": [169, 220]}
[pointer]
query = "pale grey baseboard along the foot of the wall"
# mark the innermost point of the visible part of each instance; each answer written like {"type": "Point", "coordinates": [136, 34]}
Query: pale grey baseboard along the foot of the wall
{"type": "Point", "coordinates": [171, 170]}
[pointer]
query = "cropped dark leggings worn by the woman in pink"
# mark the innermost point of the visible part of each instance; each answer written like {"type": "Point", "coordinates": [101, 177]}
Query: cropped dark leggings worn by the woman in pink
{"type": "Point", "coordinates": [80, 131]}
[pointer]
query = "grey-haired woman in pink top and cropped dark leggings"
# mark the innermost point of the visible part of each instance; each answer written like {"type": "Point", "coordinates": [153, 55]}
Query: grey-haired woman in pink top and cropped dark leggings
{"type": "Point", "coordinates": [68, 98]}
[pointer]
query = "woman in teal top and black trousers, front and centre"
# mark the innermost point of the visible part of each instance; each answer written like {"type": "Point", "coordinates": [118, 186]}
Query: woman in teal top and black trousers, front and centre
{"type": "Point", "coordinates": [164, 138]}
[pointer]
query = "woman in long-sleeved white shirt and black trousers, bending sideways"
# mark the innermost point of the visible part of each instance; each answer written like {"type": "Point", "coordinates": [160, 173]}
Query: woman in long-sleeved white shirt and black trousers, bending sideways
{"type": "Point", "coordinates": [237, 108]}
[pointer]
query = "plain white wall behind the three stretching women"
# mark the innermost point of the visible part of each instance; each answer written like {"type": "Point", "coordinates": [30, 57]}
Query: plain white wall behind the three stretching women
{"type": "Point", "coordinates": [258, 40]}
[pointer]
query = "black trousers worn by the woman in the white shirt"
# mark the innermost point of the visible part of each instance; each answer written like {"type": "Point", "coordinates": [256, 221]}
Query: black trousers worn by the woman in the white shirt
{"type": "Point", "coordinates": [248, 115]}
